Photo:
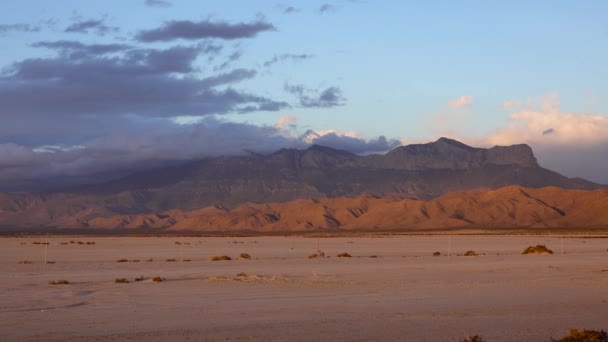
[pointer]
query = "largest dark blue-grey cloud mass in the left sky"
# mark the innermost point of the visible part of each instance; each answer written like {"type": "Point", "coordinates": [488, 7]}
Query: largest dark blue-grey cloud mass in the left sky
{"type": "Point", "coordinates": [80, 90]}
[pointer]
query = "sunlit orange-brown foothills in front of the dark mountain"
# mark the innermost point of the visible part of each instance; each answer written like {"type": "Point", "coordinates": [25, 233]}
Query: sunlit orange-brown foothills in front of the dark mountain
{"type": "Point", "coordinates": [513, 206]}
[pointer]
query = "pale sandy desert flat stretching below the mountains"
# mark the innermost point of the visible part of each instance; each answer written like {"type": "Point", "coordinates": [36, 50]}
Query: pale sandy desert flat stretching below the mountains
{"type": "Point", "coordinates": [404, 293]}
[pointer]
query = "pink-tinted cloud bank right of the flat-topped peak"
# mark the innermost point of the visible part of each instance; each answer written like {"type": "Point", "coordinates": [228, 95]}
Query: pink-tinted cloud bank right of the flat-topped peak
{"type": "Point", "coordinates": [575, 144]}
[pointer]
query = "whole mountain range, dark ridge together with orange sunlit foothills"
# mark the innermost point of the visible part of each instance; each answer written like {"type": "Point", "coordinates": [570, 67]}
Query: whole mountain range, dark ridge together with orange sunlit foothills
{"type": "Point", "coordinates": [324, 180]}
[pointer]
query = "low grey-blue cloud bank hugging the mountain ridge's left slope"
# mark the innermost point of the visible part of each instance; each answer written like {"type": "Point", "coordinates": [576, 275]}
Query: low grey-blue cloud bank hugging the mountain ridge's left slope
{"type": "Point", "coordinates": [133, 147]}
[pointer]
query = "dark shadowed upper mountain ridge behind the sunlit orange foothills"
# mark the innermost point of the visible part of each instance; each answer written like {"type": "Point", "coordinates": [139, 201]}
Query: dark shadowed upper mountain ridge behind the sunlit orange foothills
{"type": "Point", "coordinates": [422, 171]}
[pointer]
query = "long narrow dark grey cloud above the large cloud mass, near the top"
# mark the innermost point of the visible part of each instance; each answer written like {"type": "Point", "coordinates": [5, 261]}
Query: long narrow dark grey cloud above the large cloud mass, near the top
{"type": "Point", "coordinates": [189, 30]}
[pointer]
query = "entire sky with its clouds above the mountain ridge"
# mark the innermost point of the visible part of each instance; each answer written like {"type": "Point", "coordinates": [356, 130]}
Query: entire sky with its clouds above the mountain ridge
{"type": "Point", "coordinates": [92, 90]}
